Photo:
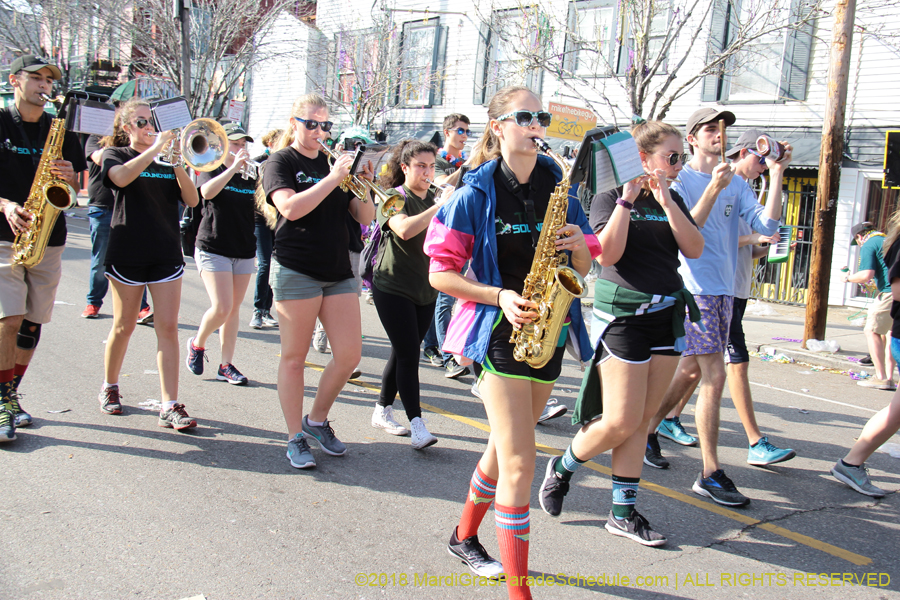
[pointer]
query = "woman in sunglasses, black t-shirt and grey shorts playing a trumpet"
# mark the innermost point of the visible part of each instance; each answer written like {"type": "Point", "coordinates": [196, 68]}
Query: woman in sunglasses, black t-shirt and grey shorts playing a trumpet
{"type": "Point", "coordinates": [310, 273]}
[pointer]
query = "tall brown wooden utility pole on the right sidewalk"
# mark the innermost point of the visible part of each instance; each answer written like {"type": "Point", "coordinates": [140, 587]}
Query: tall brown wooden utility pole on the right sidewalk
{"type": "Point", "coordinates": [829, 171]}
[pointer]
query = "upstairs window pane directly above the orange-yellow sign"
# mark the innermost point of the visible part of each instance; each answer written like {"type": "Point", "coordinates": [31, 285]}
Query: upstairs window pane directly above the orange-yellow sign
{"type": "Point", "coordinates": [591, 38]}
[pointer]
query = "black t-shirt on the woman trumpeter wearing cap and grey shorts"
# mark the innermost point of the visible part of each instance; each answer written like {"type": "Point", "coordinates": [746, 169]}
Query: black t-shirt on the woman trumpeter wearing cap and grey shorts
{"type": "Point", "coordinates": [227, 225]}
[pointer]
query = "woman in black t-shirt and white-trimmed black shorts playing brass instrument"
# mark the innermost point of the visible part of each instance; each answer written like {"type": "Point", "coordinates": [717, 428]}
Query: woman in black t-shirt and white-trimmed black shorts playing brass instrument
{"type": "Point", "coordinates": [145, 249]}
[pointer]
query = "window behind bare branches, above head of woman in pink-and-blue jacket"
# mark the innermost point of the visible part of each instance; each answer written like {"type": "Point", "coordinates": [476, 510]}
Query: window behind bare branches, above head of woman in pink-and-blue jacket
{"type": "Point", "coordinates": [500, 61]}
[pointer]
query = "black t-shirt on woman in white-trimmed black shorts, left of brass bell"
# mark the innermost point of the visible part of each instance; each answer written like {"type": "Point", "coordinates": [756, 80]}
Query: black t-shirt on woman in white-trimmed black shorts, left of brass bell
{"type": "Point", "coordinates": [144, 228]}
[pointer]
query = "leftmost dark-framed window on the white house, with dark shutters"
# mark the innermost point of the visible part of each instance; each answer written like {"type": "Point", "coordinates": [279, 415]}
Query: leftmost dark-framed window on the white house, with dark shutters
{"type": "Point", "coordinates": [422, 49]}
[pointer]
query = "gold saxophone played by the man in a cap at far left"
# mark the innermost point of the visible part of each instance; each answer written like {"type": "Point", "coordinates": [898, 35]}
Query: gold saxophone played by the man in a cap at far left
{"type": "Point", "coordinates": [48, 196]}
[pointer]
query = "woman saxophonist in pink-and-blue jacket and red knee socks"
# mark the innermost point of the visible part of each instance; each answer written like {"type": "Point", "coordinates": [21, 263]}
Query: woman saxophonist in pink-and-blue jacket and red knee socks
{"type": "Point", "coordinates": [501, 250]}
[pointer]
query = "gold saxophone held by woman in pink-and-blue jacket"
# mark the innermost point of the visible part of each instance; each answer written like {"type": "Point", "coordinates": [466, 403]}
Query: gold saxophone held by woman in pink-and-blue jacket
{"type": "Point", "coordinates": [551, 284]}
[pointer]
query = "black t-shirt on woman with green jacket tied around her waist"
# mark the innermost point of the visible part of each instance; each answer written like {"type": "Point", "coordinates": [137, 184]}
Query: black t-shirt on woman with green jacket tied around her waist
{"type": "Point", "coordinates": [649, 263]}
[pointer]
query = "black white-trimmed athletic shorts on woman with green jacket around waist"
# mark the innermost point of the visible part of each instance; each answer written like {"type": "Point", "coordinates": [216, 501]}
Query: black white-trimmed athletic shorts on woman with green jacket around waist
{"type": "Point", "coordinates": [634, 339]}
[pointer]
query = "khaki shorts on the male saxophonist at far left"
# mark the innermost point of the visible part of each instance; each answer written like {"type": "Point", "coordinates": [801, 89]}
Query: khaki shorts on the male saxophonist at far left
{"type": "Point", "coordinates": [29, 292]}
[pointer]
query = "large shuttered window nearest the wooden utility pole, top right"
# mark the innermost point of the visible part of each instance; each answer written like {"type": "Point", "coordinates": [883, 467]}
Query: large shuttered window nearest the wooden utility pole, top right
{"type": "Point", "coordinates": [772, 67]}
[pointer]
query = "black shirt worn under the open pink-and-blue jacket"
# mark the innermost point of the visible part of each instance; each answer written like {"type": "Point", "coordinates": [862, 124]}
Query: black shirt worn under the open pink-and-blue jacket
{"type": "Point", "coordinates": [515, 246]}
